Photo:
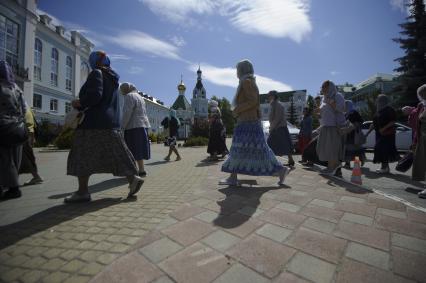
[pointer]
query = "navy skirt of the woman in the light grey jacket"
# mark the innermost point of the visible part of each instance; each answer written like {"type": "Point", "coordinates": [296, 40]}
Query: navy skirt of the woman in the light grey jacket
{"type": "Point", "coordinates": [138, 143]}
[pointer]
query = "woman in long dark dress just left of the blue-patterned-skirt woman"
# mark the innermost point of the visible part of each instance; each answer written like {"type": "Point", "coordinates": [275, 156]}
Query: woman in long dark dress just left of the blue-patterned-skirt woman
{"type": "Point", "coordinates": [217, 135]}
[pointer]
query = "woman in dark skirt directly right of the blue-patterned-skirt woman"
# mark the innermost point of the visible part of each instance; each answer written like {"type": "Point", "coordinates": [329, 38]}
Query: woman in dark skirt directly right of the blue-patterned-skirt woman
{"type": "Point", "coordinates": [279, 139]}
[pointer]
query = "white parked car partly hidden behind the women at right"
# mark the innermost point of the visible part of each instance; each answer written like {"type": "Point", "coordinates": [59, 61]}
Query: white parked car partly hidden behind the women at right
{"type": "Point", "coordinates": [403, 136]}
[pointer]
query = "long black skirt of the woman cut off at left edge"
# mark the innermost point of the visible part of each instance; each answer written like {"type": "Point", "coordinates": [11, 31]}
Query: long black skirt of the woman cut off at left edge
{"type": "Point", "coordinates": [10, 161]}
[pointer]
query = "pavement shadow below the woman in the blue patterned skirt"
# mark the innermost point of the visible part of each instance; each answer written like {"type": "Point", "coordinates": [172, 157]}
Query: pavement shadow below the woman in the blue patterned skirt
{"type": "Point", "coordinates": [237, 198]}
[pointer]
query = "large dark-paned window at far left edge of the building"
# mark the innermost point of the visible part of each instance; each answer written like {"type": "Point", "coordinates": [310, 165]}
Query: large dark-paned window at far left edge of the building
{"type": "Point", "coordinates": [9, 41]}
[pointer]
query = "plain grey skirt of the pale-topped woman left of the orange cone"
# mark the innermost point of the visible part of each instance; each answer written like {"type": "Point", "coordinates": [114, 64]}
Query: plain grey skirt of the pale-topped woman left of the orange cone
{"type": "Point", "coordinates": [330, 145]}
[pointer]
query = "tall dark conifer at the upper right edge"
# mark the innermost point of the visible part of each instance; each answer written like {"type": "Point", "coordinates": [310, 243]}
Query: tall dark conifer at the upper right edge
{"type": "Point", "coordinates": [412, 65]}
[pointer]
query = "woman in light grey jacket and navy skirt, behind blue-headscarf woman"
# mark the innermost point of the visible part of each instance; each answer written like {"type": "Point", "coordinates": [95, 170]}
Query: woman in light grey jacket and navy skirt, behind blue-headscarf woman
{"type": "Point", "coordinates": [135, 124]}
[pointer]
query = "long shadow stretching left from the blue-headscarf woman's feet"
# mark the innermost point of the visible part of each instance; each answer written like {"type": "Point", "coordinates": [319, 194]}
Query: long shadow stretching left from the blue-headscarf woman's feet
{"type": "Point", "coordinates": [42, 221]}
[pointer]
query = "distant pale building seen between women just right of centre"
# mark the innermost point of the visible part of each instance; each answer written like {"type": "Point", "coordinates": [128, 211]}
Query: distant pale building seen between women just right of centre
{"type": "Point", "coordinates": [286, 98]}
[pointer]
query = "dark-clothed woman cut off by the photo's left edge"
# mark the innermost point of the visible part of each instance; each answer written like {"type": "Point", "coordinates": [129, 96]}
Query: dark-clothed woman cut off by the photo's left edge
{"type": "Point", "coordinates": [12, 105]}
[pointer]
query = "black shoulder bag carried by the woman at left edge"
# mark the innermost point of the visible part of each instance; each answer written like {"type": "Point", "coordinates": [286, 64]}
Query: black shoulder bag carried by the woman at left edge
{"type": "Point", "coordinates": [13, 130]}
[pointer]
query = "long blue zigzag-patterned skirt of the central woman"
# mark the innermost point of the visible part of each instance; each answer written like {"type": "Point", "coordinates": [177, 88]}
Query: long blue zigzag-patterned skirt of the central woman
{"type": "Point", "coordinates": [250, 154]}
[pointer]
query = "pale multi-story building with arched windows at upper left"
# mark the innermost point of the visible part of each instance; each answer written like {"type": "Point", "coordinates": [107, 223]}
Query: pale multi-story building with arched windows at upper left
{"type": "Point", "coordinates": [49, 62]}
